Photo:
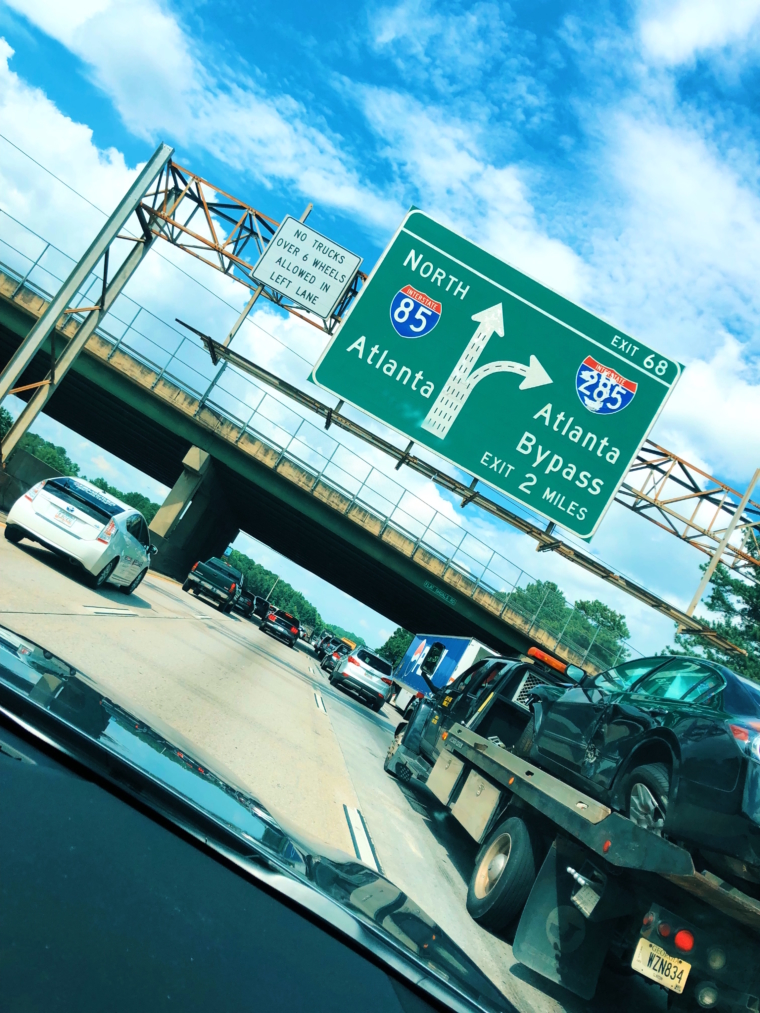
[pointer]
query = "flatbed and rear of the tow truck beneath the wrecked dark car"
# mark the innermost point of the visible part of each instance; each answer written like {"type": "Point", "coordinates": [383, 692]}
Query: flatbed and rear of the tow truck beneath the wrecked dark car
{"type": "Point", "coordinates": [584, 885]}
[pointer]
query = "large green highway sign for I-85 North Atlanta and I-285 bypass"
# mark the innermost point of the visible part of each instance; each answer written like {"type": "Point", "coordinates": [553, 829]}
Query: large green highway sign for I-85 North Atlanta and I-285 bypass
{"type": "Point", "coordinates": [498, 374]}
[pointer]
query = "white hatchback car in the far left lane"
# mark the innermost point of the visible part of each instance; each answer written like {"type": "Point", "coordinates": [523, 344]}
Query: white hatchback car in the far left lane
{"type": "Point", "coordinates": [107, 538]}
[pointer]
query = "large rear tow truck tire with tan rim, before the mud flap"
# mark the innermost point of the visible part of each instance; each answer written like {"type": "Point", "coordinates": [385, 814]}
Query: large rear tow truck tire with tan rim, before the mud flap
{"type": "Point", "coordinates": [506, 869]}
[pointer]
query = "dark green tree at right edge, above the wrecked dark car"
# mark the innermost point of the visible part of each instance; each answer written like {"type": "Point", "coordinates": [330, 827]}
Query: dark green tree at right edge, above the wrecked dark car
{"type": "Point", "coordinates": [736, 605]}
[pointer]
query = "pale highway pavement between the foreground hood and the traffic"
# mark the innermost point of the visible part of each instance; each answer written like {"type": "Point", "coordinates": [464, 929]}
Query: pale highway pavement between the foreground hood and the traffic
{"type": "Point", "coordinates": [311, 753]}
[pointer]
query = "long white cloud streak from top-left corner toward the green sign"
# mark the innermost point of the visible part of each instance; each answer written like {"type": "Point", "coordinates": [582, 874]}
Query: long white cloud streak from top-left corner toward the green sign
{"type": "Point", "coordinates": [138, 53]}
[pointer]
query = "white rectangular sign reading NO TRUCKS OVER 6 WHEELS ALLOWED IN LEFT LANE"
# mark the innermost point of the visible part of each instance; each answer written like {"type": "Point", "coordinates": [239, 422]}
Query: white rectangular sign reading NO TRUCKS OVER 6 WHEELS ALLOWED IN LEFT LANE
{"type": "Point", "coordinates": [307, 267]}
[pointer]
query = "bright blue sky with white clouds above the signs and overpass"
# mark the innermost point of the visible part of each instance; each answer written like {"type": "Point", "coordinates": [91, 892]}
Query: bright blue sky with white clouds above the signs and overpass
{"type": "Point", "coordinates": [609, 149]}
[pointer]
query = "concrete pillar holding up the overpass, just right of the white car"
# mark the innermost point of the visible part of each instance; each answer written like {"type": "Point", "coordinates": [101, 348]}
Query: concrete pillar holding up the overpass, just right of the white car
{"type": "Point", "coordinates": [195, 521]}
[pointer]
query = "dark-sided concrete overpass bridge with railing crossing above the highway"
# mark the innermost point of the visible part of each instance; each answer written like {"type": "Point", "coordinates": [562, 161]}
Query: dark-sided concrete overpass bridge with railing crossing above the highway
{"type": "Point", "coordinates": [283, 481]}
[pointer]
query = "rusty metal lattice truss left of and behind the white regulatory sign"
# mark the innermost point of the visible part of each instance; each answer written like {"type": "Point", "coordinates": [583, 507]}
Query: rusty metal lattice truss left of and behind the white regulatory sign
{"type": "Point", "coordinates": [229, 235]}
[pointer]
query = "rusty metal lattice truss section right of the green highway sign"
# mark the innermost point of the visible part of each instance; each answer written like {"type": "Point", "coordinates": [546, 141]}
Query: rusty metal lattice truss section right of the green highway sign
{"type": "Point", "coordinates": [697, 508]}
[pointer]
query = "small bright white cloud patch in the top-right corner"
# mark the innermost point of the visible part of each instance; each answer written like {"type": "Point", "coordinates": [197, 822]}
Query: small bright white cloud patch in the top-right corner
{"type": "Point", "coordinates": [676, 32]}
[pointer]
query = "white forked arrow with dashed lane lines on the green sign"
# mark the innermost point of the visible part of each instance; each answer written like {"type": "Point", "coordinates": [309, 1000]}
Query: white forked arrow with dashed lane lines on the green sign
{"type": "Point", "coordinates": [465, 377]}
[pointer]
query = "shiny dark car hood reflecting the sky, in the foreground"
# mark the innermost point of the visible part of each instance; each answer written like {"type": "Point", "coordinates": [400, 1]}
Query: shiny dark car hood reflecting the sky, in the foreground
{"type": "Point", "coordinates": [61, 706]}
